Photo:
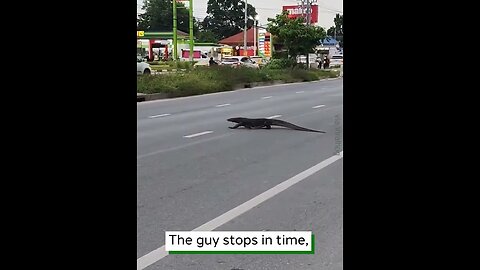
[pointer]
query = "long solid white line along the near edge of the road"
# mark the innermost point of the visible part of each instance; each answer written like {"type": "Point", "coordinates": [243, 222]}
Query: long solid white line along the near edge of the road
{"type": "Point", "coordinates": [160, 252]}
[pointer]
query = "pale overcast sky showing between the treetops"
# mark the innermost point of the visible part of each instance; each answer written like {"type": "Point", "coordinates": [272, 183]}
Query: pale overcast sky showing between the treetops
{"type": "Point", "coordinates": [269, 8]}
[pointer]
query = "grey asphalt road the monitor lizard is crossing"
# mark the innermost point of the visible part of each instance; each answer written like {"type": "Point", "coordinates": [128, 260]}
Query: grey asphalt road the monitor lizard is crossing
{"type": "Point", "coordinates": [191, 169]}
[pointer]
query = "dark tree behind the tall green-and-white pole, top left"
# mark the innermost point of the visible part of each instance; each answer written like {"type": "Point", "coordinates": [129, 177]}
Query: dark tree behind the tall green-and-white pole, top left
{"type": "Point", "coordinates": [158, 16]}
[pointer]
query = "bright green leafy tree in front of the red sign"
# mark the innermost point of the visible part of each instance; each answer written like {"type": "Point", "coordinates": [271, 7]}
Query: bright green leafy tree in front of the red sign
{"type": "Point", "coordinates": [295, 36]}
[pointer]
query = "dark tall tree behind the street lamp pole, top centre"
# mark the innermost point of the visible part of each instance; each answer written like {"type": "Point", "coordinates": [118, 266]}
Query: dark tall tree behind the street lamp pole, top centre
{"type": "Point", "coordinates": [227, 17]}
